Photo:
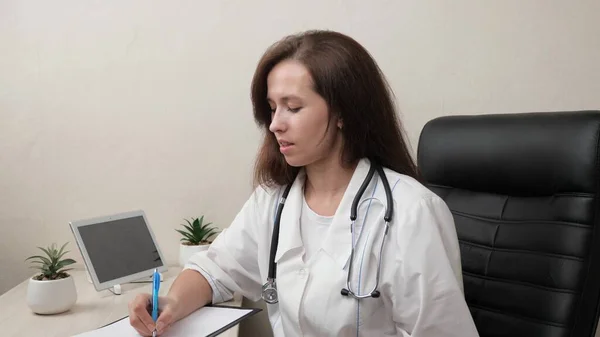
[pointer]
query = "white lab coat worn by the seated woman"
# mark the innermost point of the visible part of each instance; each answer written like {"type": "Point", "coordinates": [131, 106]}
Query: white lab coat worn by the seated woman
{"type": "Point", "coordinates": [420, 283]}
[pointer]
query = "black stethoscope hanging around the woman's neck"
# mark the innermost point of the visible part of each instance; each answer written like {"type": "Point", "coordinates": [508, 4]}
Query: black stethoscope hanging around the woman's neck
{"type": "Point", "coordinates": [269, 289]}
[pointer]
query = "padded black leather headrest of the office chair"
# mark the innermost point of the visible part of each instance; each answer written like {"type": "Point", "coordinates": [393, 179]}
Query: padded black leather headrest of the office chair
{"type": "Point", "coordinates": [527, 154]}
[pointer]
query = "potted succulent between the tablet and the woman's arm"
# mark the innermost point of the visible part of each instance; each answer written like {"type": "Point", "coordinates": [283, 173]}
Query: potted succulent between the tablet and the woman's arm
{"type": "Point", "coordinates": [196, 237]}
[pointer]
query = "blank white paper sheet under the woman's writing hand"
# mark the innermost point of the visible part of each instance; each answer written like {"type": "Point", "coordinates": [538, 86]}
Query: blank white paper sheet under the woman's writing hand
{"type": "Point", "coordinates": [202, 322]}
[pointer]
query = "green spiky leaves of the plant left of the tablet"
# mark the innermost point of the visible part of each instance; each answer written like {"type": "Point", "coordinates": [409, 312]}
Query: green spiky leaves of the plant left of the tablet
{"type": "Point", "coordinates": [52, 265]}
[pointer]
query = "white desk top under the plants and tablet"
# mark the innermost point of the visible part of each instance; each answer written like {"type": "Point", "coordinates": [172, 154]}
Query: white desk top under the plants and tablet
{"type": "Point", "coordinates": [92, 310]}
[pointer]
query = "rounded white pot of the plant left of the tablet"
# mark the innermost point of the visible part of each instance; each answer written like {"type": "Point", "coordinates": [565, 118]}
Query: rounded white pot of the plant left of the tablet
{"type": "Point", "coordinates": [52, 296]}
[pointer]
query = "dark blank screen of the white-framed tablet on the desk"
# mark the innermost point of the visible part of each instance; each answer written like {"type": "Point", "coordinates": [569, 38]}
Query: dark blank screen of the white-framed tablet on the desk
{"type": "Point", "coordinates": [120, 248]}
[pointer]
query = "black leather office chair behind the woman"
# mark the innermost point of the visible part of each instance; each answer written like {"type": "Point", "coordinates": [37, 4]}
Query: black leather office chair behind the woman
{"type": "Point", "coordinates": [524, 192]}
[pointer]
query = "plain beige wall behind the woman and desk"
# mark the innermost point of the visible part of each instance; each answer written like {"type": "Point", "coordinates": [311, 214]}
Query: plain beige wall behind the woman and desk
{"type": "Point", "coordinates": [109, 106]}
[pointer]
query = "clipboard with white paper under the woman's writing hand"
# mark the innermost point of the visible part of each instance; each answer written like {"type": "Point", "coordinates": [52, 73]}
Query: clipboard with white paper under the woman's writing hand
{"type": "Point", "coordinates": [186, 326]}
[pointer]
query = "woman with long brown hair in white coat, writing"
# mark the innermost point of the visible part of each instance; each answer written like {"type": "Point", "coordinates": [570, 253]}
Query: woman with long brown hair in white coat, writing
{"type": "Point", "coordinates": [339, 236]}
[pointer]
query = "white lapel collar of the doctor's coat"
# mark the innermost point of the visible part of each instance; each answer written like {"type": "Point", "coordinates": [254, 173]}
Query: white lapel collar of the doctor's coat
{"type": "Point", "coordinates": [338, 241]}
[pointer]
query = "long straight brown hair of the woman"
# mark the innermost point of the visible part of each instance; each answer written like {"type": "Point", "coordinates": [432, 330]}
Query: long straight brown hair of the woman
{"type": "Point", "coordinates": [350, 81]}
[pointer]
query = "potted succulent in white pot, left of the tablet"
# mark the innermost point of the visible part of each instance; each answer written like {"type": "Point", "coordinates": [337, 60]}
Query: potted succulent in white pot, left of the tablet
{"type": "Point", "coordinates": [51, 291]}
